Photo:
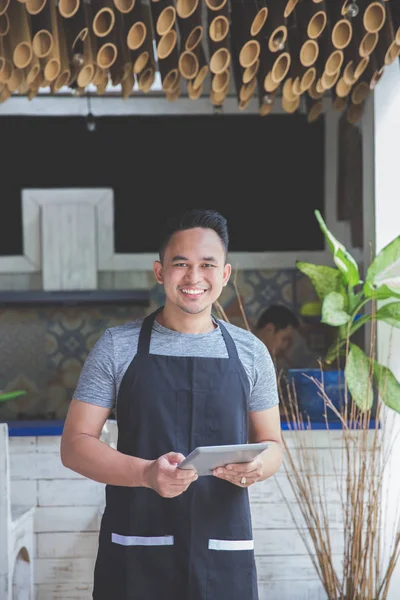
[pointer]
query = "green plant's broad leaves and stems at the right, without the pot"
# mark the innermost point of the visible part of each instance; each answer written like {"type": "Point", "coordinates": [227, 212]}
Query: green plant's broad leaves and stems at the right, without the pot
{"type": "Point", "coordinates": [343, 297]}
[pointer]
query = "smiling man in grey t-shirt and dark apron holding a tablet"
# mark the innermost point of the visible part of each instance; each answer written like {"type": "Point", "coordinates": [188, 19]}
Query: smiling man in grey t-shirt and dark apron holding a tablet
{"type": "Point", "coordinates": [178, 379]}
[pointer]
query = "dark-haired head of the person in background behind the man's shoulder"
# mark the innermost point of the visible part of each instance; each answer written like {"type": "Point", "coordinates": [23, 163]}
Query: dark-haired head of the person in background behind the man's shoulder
{"type": "Point", "coordinates": [276, 327]}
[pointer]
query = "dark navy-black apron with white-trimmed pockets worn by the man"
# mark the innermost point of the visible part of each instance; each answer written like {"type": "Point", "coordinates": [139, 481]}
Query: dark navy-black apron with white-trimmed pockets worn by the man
{"type": "Point", "coordinates": [197, 546]}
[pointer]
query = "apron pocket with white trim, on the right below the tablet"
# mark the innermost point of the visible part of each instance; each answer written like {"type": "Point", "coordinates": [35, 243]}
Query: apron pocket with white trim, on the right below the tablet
{"type": "Point", "coordinates": [230, 570]}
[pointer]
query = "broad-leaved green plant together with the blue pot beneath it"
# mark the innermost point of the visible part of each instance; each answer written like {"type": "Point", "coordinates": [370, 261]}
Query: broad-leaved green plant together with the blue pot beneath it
{"type": "Point", "coordinates": [343, 298]}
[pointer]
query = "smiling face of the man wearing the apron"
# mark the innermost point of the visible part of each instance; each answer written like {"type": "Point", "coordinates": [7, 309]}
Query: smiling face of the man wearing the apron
{"type": "Point", "coordinates": [193, 272]}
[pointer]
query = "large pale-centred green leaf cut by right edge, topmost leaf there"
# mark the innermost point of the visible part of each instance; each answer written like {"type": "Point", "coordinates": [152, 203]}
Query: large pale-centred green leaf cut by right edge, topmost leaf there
{"type": "Point", "coordinates": [383, 275]}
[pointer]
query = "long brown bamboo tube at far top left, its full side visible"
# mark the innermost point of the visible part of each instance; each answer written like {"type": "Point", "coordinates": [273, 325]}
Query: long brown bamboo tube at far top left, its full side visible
{"type": "Point", "coordinates": [20, 35]}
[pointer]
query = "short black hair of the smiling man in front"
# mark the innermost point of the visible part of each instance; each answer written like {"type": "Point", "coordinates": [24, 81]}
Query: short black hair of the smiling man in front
{"type": "Point", "coordinates": [188, 219]}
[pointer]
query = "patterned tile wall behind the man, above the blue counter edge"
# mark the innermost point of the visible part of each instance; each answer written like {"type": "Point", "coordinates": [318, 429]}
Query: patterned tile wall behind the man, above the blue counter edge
{"type": "Point", "coordinates": [42, 350]}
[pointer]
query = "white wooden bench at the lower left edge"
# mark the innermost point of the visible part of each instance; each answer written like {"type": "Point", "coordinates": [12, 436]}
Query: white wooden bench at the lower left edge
{"type": "Point", "coordinates": [16, 535]}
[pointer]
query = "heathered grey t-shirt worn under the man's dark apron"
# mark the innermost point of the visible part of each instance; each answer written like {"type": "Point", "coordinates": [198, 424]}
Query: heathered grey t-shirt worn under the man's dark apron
{"type": "Point", "coordinates": [109, 359]}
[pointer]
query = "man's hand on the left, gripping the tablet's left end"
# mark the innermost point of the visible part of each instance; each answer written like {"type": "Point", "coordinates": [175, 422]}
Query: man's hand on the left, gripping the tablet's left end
{"type": "Point", "coordinates": [163, 476]}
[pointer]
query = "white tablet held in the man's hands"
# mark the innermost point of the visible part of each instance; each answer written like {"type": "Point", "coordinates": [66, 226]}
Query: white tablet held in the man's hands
{"type": "Point", "coordinates": [205, 459]}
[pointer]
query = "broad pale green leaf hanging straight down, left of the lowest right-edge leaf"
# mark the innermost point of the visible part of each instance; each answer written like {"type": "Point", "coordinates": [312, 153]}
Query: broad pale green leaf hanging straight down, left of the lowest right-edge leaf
{"type": "Point", "coordinates": [358, 378]}
